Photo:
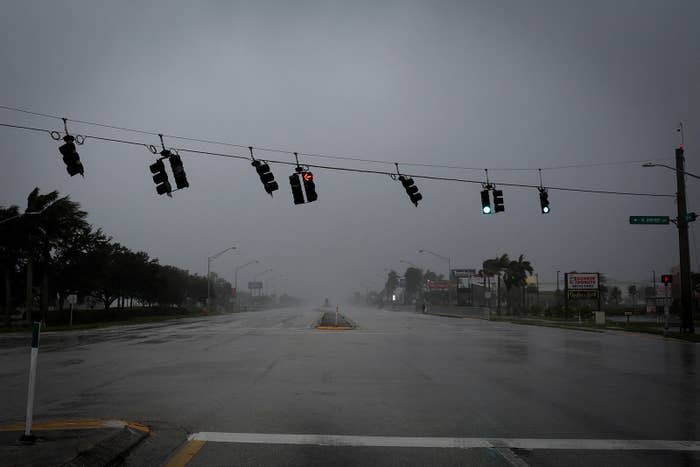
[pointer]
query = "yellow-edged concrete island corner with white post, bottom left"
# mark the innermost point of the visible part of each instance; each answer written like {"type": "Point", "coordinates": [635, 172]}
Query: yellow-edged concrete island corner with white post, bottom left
{"type": "Point", "coordinates": [73, 443]}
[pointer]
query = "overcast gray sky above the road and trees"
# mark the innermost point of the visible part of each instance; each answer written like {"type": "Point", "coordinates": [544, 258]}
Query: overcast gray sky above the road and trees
{"type": "Point", "coordinates": [498, 84]}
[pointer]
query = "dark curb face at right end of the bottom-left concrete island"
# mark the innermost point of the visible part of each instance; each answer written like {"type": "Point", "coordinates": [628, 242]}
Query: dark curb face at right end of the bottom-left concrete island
{"type": "Point", "coordinates": [113, 450]}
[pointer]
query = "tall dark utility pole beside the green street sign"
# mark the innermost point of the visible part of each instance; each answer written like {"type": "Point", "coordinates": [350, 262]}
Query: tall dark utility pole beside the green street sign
{"type": "Point", "coordinates": [683, 245]}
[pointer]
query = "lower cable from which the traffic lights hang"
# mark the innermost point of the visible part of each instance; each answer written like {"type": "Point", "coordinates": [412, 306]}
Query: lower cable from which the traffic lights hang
{"type": "Point", "coordinates": [151, 149]}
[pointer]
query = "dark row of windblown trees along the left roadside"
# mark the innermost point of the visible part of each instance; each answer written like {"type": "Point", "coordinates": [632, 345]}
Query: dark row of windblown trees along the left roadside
{"type": "Point", "coordinates": [50, 251]}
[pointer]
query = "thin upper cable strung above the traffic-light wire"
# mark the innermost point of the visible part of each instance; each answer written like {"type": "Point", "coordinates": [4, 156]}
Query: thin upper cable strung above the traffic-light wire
{"type": "Point", "coordinates": [332, 156]}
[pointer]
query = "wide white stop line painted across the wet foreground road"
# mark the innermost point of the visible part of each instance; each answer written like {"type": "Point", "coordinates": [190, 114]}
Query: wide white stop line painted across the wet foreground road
{"type": "Point", "coordinates": [459, 443]}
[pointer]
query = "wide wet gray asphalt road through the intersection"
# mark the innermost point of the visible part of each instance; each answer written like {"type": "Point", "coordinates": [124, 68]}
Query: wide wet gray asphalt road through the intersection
{"type": "Point", "coordinates": [398, 374]}
